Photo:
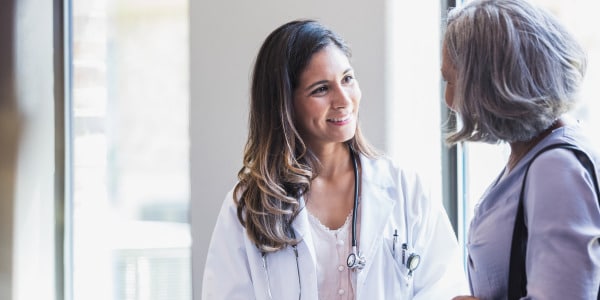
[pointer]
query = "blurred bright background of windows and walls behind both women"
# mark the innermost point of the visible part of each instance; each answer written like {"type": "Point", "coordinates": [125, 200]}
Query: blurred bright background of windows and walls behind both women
{"type": "Point", "coordinates": [122, 126]}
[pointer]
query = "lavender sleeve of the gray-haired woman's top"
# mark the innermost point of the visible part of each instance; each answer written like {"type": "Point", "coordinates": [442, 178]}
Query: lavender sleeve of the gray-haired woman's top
{"type": "Point", "coordinates": [563, 219]}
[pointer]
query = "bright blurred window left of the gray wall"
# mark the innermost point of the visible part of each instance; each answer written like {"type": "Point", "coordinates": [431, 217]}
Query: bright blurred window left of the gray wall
{"type": "Point", "coordinates": [129, 235]}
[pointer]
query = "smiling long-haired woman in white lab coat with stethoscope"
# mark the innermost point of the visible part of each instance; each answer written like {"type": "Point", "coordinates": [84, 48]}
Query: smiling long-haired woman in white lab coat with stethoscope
{"type": "Point", "coordinates": [317, 214]}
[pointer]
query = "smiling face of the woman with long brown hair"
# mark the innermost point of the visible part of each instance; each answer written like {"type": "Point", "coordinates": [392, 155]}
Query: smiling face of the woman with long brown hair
{"type": "Point", "coordinates": [326, 99]}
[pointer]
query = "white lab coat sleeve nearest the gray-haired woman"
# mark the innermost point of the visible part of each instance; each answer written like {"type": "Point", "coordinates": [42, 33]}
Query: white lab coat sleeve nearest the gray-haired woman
{"type": "Point", "coordinates": [441, 274]}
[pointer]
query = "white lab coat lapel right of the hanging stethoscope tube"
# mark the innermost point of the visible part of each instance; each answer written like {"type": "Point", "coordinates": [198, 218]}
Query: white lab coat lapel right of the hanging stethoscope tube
{"type": "Point", "coordinates": [376, 207]}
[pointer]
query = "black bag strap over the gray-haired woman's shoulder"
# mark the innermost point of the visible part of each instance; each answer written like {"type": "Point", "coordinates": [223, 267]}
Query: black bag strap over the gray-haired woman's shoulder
{"type": "Point", "coordinates": [517, 278]}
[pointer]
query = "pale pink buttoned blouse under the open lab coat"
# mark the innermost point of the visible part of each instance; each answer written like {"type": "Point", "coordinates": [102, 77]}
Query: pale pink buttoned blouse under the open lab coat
{"type": "Point", "coordinates": [332, 246]}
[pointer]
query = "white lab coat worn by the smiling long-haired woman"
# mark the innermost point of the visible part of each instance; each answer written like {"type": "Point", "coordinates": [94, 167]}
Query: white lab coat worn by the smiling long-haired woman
{"type": "Point", "coordinates": [234, 266]}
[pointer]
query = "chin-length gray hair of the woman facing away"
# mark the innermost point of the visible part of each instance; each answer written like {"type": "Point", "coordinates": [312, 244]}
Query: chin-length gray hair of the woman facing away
{"type": "Point", "coordinates": [518, 70]}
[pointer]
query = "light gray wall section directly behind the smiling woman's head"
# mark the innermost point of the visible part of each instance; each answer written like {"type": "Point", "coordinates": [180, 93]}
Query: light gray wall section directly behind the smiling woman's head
{"type": "Point", "coordinates": [225, 37]}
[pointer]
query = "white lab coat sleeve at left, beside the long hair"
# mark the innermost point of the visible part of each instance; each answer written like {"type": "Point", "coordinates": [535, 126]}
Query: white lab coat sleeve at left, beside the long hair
{"type": "Point", "coordinates": [227, 271]}
